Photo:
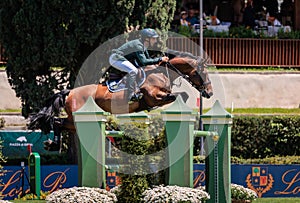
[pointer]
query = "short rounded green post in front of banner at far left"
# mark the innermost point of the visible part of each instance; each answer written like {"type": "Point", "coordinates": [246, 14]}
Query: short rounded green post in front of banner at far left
{"type": "Point", "coordinates": [34, 163]}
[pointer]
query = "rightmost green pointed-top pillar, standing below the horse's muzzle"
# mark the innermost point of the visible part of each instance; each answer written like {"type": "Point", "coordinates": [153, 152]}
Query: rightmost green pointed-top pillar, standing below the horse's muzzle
{"type": "Point", "coordinates": [217, 162]}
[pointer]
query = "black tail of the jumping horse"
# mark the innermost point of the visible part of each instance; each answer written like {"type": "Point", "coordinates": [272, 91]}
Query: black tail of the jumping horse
{"type": "Point", "coordinates": [45, 118]}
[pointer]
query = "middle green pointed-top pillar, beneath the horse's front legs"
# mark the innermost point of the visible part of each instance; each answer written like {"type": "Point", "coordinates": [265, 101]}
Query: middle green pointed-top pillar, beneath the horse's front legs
{"type": "Point", "coordinates": [179, 124]}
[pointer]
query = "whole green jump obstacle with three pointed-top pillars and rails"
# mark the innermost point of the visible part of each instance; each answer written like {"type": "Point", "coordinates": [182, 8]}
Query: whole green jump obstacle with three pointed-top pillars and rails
{"type": "Point", "coordinates": [179, 124]}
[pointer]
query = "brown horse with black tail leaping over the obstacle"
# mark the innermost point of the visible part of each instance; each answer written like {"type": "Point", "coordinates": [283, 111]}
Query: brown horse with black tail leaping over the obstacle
{"type": "Point", "coordinates": [156, 90]}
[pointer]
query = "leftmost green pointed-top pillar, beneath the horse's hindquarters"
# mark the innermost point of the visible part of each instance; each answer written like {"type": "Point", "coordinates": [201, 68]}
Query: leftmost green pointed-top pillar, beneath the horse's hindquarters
{"type": "Point", "coordinates": [90, 125]}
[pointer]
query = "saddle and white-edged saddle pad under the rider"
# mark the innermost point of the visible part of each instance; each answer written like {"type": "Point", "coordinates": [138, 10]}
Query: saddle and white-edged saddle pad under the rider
{"type": "Point", "coordinates": [116, 80]}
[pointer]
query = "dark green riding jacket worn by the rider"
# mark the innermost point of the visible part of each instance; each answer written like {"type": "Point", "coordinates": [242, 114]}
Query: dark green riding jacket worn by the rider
{"type": "Point", "coordinates": [135, 52]}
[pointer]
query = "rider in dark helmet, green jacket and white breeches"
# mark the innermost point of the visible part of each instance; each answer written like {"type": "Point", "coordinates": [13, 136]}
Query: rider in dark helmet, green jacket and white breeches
{"type": "Point", "coordinates": [134, 53]}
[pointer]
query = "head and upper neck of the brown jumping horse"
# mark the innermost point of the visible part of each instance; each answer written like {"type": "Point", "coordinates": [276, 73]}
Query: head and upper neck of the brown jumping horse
{"type": "Point", "coordinates": [196, 73]}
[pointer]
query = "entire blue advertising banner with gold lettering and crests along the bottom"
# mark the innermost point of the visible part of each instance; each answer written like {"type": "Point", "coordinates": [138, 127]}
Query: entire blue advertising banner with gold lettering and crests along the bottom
{"type": "Point", "coordinates": [266, 180]}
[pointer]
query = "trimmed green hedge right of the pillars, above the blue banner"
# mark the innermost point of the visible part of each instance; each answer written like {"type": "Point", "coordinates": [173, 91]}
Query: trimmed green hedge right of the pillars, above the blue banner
{"type": "Point", "coordinates": [265, 136]}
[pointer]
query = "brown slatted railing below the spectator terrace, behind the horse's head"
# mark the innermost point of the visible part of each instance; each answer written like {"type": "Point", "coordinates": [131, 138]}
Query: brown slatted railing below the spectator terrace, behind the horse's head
{"type": "Point", "coordinates": [243, 51]}
